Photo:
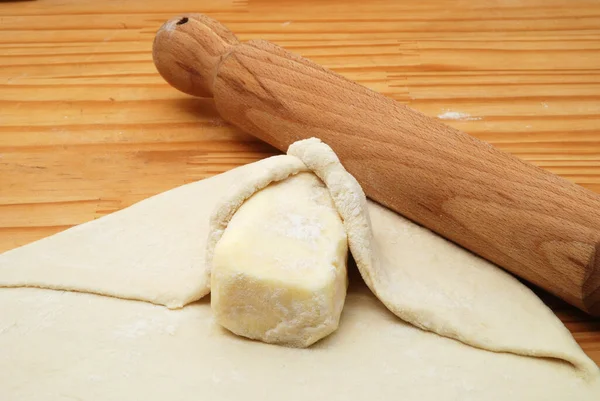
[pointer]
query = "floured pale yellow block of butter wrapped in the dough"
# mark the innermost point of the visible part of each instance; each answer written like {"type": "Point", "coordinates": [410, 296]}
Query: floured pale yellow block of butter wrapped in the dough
{"type": "Point", "coordinates": [279, 271]}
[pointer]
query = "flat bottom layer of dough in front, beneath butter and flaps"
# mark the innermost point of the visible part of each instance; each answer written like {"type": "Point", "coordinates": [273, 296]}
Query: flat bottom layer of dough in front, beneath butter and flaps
{"type": "Point", "coordinates": [66, 345]}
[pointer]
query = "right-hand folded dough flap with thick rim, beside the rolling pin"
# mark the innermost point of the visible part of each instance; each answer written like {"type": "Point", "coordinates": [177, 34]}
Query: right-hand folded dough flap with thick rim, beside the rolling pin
{"type": "Point", "coordinates": [435, 285]}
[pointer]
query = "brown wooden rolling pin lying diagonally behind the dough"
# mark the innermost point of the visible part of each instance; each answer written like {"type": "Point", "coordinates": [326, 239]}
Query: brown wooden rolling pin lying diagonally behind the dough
{"type": "Point", "coordinates": [534, 224]}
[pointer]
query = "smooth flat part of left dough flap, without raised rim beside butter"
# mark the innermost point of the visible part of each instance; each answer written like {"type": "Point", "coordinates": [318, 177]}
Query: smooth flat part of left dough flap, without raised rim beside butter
{"type": "Point", "coordinates": [152, 251]}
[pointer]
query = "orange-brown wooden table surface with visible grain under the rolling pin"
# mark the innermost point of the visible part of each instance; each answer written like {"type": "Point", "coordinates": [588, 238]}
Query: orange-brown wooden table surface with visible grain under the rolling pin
{"type": "Point", "coordinates": [87, 126]}
